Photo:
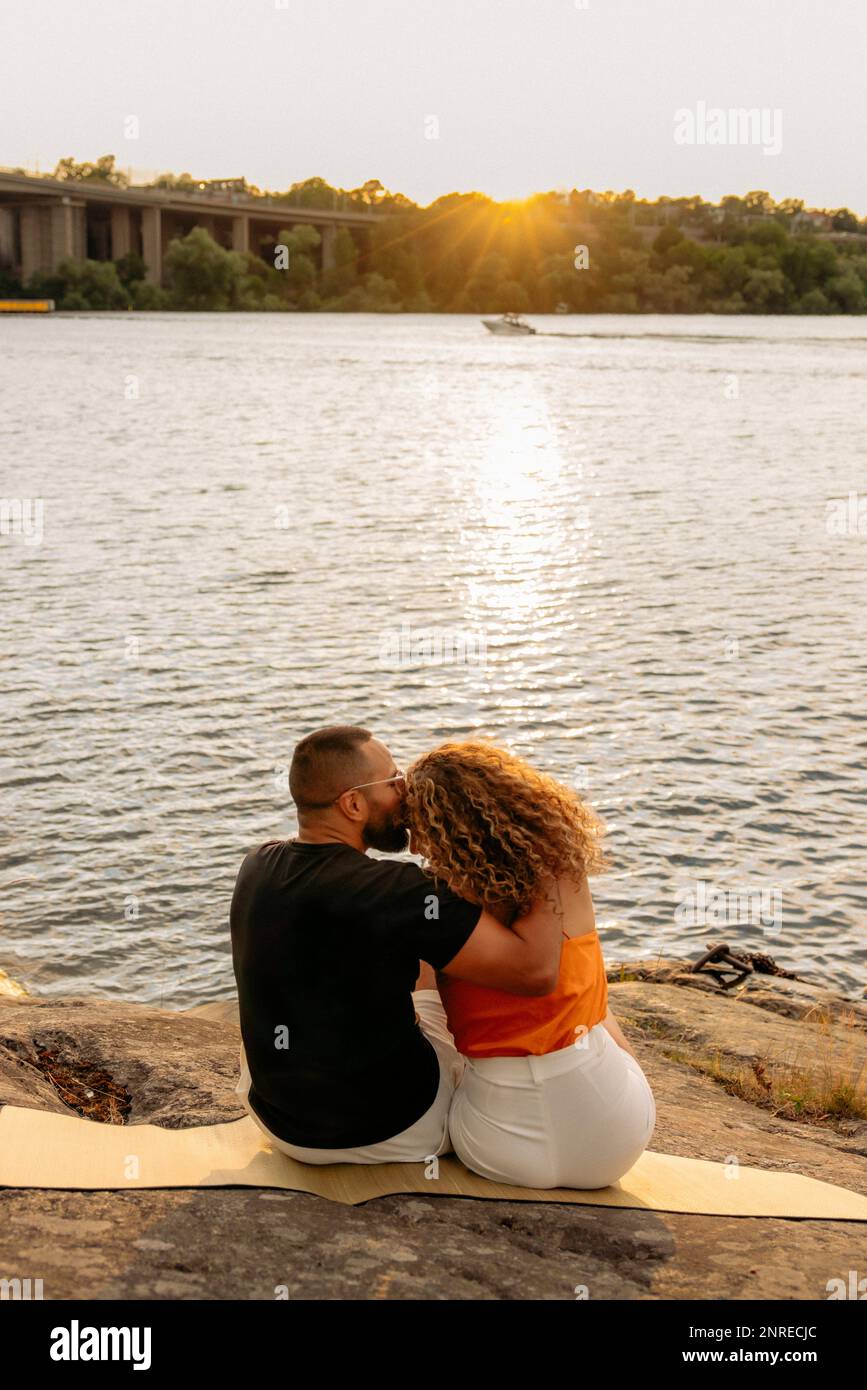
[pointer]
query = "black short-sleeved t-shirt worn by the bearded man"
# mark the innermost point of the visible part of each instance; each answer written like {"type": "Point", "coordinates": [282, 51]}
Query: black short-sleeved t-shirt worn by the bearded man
{"type": "Point", "coordinates": [326, 947]}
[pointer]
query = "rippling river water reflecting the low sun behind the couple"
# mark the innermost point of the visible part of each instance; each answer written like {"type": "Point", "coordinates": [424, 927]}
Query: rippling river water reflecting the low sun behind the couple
{"type": "Point", "coordinates": [242, 515]}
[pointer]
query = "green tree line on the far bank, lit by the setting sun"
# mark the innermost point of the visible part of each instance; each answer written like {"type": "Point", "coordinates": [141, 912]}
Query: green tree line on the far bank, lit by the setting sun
{"type": "Point", "coordinates": [580, 252]}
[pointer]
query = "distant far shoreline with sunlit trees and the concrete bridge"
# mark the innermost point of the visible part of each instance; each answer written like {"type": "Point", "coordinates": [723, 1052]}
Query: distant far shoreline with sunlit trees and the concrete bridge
{"type": "Point", "coordinates": [583, 252]}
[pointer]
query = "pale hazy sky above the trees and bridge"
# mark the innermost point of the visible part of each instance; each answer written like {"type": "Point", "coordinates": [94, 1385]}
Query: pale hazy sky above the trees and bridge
{"type": "Point", "coordinates": [437, 97]}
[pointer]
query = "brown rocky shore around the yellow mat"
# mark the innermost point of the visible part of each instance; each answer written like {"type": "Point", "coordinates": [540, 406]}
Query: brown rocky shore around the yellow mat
{"type": "Point", "coordinates": [772, 1074]}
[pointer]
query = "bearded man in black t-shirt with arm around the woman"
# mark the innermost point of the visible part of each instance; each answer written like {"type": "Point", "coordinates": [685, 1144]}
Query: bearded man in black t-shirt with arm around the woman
{"type": "Point", "coordinates": [341, 1061]}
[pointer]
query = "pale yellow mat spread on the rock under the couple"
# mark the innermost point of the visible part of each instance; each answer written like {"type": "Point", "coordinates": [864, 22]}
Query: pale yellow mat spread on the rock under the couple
{"type": "Point", "coordinates": [44, 1150]}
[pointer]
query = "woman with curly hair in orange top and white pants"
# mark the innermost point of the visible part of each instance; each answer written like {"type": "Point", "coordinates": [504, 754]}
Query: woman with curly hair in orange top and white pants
{"type": "Point", "coordinates": [552, 1095]}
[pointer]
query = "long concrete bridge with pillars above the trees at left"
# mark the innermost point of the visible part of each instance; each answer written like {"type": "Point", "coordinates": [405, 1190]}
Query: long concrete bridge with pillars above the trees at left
{"type": "Point", "coordinates": [45, 220]}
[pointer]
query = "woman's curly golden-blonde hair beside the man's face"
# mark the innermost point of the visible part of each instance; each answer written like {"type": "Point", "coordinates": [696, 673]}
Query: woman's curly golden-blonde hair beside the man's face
{"type": "Point", "coordinates": [493, 828]}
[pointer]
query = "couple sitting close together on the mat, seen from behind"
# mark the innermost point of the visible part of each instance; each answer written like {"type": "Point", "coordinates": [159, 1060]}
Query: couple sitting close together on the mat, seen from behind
{"type": "Point", "coordinates": [391, 1014]}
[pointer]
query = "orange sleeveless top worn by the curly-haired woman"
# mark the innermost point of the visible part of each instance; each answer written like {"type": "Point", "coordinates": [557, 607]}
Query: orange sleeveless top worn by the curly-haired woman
{"type": "Point", "coordinates": [495, 1024]}
